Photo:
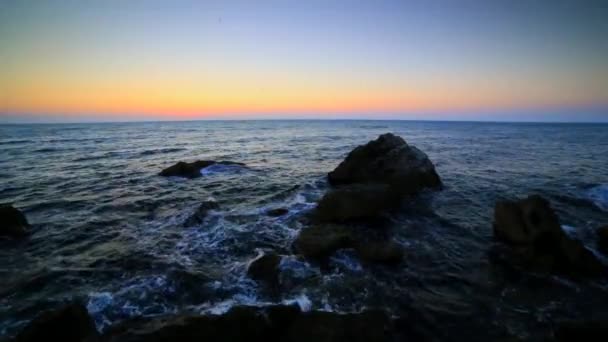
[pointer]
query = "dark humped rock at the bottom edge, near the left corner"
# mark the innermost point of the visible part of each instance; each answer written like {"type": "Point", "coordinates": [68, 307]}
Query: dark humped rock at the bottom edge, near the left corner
{"type": "Point", "coordinates": [70, 323]}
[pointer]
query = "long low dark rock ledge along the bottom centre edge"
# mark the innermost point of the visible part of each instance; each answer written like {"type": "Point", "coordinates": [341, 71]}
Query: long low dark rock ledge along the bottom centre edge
{"type": "Point", "coordinates": [274, 323]}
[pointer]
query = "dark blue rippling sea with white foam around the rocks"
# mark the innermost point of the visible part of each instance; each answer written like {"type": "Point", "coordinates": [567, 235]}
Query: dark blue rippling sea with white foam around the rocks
{"type": "Point", "coordinates": [108, 230]}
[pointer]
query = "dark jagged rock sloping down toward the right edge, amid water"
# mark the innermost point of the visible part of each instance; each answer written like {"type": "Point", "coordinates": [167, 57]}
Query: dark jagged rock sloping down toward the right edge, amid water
{"type": "Point", "coordinates": [538, 242]}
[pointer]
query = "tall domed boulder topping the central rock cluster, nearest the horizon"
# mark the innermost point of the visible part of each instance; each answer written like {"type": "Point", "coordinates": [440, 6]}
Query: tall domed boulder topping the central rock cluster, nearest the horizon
{"type": "Point", "coordinates": [389, 160]}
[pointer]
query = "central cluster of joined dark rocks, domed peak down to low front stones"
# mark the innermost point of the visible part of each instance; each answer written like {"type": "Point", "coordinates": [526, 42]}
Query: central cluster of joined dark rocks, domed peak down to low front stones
{"type": "Point", "coordinates": [370, 183]}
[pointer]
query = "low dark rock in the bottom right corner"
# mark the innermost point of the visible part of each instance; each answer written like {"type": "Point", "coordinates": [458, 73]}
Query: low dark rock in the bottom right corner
{"type": "Point", "coordinates": [594, 330]}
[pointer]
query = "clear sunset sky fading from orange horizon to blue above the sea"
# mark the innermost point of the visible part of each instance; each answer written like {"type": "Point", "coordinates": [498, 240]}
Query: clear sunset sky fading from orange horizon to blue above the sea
{"type": "Point", "coordinates": [117, 60]}
